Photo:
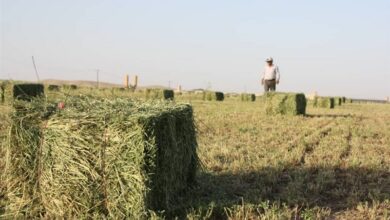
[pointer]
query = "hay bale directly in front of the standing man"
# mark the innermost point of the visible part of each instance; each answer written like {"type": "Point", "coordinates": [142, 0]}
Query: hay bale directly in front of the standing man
{"type": "Point", "coordinates": [285, 103]}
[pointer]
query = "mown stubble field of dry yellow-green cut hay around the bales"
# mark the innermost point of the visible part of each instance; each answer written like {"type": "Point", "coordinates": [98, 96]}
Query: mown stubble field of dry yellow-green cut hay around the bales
{"type": "Point", "coordinates": [329, 164]}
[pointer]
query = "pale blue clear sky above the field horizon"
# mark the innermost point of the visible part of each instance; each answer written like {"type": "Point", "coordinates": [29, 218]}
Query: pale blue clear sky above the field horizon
{"type": "Point", "coordinates": [334, 47]}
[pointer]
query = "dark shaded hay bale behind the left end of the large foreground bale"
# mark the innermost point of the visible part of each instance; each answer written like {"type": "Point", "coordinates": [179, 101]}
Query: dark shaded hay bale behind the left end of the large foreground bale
{"type": "Point", "coordinates": [27, 91]}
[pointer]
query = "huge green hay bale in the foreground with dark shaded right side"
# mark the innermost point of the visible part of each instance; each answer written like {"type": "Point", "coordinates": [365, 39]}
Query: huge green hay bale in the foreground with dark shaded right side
{"type": "Point", "coordinates": [98, 157]}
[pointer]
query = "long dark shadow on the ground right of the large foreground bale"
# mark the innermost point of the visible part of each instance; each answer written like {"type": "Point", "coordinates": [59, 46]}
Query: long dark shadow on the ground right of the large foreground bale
{"type": "Point", "coordinates": [324, 187]}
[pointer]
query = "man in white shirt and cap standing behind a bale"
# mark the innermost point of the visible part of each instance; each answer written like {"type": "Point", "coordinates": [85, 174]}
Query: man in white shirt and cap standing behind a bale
{"type": "Point", "coordinates": [270, 76]}
